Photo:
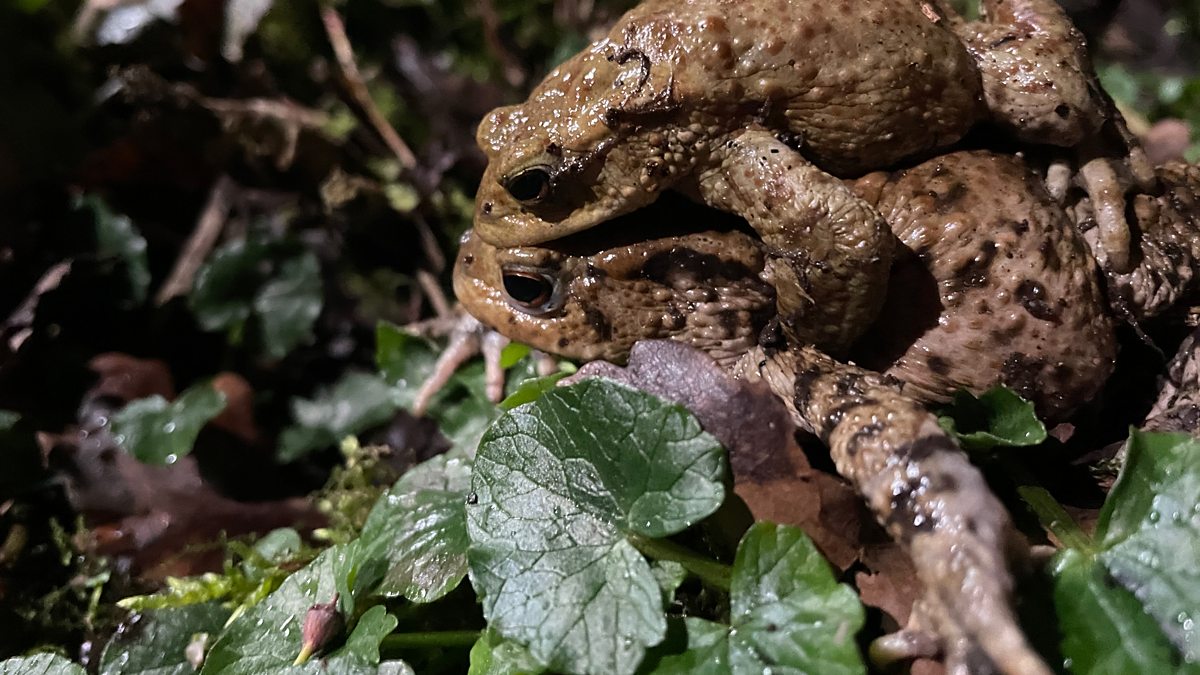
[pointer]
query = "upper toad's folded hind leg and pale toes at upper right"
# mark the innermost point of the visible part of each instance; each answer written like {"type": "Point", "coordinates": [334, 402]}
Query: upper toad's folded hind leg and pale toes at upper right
{"type": "Point", "coordinates": [1041, 86]}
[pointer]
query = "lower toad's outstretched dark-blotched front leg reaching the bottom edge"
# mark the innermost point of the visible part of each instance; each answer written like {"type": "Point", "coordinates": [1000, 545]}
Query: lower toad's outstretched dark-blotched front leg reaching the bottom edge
{"type": "Point", "coordinates": [925, 492]}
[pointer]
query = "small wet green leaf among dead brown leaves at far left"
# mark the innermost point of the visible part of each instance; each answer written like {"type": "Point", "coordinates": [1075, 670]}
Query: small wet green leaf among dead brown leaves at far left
{"type": "Point", "coordinates": [160, 433]}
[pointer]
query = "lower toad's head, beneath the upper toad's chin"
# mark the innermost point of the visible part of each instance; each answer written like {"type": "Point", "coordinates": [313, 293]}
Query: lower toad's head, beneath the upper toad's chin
{"type": "Point", "coordinates": [703, 289]}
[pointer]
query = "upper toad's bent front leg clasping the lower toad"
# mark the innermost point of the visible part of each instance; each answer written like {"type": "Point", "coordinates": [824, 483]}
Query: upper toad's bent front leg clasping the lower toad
{"type": "Point", "coordinates": [829, 252]}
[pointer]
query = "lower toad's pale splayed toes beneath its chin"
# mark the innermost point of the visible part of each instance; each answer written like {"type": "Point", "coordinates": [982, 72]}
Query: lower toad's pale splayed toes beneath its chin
{"type": "Point", "coordinates": [467, 338]}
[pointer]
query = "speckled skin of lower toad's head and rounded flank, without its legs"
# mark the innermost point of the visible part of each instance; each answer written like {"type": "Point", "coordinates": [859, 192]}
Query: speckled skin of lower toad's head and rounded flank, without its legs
{"type": "Point", "coordinates": [979, 294]}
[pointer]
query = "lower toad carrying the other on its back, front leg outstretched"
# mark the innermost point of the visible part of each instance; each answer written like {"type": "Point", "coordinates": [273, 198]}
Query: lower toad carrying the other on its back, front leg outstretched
{"type": "Point", "coordinates": [993, 285]}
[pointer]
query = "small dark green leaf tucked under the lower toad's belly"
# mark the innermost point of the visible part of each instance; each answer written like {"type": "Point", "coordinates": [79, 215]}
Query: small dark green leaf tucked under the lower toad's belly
{"type": "Point", "coordinates": [998, 419]}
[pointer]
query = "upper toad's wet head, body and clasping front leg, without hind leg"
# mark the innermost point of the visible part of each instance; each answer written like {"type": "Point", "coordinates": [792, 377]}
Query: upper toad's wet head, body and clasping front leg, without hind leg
{"type": "Point", "coordinates": [693, 95]}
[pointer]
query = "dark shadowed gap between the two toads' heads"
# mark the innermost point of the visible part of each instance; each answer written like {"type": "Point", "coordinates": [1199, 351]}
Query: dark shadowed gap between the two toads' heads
{"type": "Point", "coordinates": [671, 216]}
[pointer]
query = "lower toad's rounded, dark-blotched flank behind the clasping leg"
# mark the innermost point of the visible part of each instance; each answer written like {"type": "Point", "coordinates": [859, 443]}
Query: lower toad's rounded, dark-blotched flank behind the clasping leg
{"type": "Point", "coordinates": [993, 285]}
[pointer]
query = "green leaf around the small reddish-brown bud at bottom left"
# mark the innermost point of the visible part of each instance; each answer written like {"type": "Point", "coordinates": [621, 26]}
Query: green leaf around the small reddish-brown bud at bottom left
{"type": "Point", "coordinates": [267, 638]}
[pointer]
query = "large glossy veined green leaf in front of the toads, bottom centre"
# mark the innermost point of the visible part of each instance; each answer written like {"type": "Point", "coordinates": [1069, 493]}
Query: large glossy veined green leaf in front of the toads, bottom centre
{"type": "Point", "coordinates": [560, 485]}
